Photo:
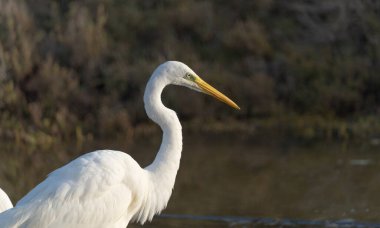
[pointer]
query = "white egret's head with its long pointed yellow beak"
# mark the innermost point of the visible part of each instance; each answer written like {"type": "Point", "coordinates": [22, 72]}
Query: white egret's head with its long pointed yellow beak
{"type": "Point", "coordinates": [180, 74]}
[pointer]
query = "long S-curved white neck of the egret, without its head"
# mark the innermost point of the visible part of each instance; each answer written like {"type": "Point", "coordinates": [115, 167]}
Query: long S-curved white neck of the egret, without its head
{"type": "Point", "coordinates": [164, 168]}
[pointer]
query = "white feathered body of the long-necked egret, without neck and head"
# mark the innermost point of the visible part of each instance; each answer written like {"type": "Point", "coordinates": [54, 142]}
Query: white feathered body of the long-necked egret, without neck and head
{"type": "Point", "coordinates": [98, 189]}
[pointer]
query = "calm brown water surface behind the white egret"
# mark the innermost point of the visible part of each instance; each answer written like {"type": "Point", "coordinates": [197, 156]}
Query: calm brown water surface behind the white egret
{"type": "Point", "coordinates": [229, 175]}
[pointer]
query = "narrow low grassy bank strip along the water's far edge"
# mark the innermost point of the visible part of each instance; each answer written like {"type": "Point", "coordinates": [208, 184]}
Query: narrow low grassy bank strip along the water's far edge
{"type": "Point", "coordinates": [290, 127]}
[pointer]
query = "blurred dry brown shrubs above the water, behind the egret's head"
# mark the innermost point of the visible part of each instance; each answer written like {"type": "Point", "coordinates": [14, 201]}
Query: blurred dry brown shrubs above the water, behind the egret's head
{"type": "Point", "coordinates": [78, 69]}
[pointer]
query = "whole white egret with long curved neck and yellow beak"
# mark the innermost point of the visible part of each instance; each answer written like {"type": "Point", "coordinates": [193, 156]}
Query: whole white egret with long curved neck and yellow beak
{"type": "Point", "coordinates": [108, 188]}
